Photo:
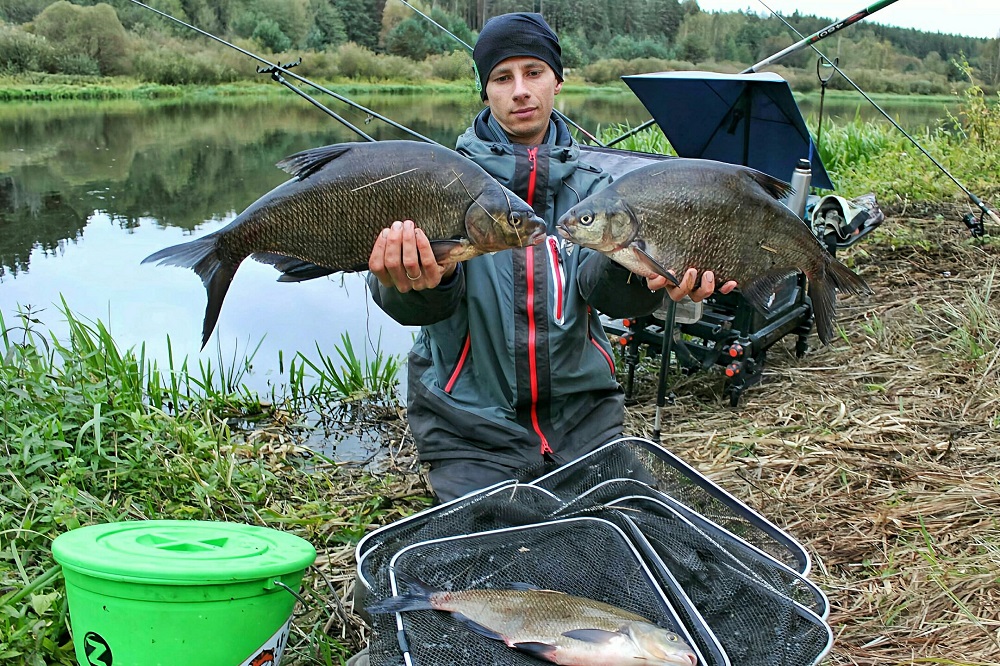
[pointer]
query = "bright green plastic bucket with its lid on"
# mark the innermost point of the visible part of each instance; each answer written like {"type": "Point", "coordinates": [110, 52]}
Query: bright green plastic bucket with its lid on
{"type": "Point", "coordinates": [171, 592]}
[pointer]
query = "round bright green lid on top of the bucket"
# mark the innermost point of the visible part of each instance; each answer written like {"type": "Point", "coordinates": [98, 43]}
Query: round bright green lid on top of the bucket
{"type": "Point", "coordinates": [182, 552]}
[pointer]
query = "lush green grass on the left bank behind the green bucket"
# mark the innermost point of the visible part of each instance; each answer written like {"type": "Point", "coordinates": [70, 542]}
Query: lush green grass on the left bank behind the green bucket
{"type": "Point", "coordinates": [90, 433]}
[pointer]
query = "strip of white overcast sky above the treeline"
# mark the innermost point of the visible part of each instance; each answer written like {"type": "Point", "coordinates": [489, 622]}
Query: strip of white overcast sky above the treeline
{"type": "Point", "coordinates": [977, 18]}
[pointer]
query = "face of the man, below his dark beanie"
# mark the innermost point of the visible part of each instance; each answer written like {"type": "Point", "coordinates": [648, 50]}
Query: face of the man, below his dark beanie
{"type": "Point", "coordinates": [521, 92]}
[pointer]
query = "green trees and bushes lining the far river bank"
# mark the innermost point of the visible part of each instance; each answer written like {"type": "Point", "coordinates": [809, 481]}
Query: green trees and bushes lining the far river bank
{"type": "Point", "coordinates": [384, 40]}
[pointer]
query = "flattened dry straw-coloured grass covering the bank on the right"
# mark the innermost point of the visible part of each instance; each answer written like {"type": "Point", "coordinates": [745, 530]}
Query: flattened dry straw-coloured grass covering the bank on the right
{"type": "Point", "coordinates": [879, 452]}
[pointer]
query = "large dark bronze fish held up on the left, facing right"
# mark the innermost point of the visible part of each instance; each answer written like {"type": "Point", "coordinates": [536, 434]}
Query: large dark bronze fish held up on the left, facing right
{"type": "Point", "coordinates": [327, 217]}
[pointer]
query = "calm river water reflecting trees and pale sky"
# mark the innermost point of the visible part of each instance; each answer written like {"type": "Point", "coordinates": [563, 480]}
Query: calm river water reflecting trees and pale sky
{"type": "Point", "coordinates": [87, 190]}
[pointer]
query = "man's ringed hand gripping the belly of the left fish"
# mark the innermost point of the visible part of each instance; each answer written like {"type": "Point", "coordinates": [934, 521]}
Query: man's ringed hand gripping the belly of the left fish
{"type": "Point", "coordinates": [402, 258]}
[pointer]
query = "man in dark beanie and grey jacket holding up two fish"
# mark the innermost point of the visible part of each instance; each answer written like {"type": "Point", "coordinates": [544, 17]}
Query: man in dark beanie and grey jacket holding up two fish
{"type": "Point", "coordinates": [512, 366]}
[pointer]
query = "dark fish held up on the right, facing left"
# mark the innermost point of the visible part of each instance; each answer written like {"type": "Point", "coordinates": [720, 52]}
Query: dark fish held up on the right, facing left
{"type": "Point", "coordinates": [680, 213]}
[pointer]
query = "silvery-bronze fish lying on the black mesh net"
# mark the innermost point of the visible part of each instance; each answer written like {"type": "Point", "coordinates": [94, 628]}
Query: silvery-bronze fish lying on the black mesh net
{"type": "Point", "coordinates": [554, 626]}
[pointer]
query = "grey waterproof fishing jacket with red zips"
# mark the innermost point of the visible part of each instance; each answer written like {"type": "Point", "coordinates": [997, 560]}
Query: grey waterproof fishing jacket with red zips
{"type": "Point", "coordinates": [512, 364]}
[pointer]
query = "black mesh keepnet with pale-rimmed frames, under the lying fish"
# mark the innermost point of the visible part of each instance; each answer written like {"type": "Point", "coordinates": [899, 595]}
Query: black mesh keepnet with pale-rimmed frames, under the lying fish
{"type": "Point", "coordinates": [671, 546]}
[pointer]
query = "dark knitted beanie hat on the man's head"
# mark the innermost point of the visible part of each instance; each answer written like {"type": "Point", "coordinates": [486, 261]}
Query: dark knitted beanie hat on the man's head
{"type": "Point", "coordinates": [512, 35]}
